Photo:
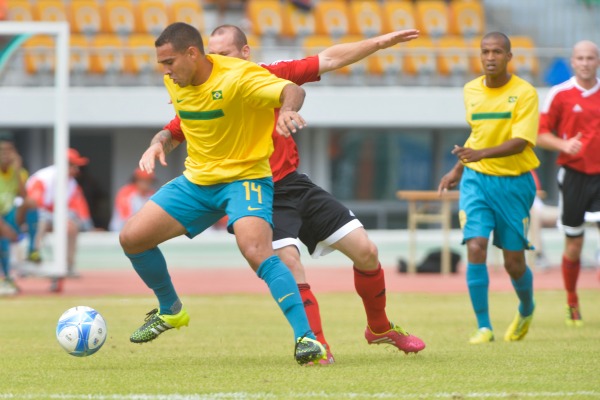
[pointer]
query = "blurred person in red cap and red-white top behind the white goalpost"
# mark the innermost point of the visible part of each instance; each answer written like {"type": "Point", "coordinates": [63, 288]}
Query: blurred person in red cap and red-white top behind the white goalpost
{"type": "Point", "coordinates": [41, 186]}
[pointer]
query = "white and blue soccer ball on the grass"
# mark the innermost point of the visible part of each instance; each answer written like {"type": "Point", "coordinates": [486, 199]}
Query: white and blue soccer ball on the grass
{"type": "Point", "coordinates": [81, 331]}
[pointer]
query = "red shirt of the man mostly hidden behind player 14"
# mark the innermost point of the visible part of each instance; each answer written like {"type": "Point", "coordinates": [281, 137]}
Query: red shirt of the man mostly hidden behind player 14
{"type": "Point", "coordinates": [284, 159]}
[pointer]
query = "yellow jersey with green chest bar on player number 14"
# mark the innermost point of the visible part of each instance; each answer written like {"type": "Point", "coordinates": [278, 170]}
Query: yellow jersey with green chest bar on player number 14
{"type": "Point", "coordinates": [228, 121]}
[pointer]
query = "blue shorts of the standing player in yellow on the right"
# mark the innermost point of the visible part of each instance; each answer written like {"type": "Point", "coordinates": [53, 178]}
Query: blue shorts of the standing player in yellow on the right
{"type": "Point", "coordinates": [498, 204]}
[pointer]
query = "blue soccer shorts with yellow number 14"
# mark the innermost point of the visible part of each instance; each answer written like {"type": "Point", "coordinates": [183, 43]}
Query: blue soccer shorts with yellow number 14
{"type": "Point", "coordinates": [198, 207]}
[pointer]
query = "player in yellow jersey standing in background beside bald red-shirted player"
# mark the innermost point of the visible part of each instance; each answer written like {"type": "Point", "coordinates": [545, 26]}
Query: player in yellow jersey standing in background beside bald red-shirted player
{"type": "Point", "coordinates": [496, 186]}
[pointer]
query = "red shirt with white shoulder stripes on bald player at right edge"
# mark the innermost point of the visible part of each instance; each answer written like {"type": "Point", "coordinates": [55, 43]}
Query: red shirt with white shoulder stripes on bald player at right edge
{"type": "Point", "coordinates": [570, 109]}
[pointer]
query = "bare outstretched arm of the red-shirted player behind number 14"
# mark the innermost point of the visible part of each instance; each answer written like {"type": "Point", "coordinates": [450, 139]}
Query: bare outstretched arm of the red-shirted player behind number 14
{"type": "Point", "coordinates": [343, 54]}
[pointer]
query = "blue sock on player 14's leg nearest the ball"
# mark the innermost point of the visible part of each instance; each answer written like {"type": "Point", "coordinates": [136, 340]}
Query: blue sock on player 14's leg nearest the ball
{"type": "Point", "coordinates": [152, 268]}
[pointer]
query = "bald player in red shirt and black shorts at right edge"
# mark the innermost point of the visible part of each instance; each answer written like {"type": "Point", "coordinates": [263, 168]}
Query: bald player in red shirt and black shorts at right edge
{"type": "Point", "coordinates": [570, 124]}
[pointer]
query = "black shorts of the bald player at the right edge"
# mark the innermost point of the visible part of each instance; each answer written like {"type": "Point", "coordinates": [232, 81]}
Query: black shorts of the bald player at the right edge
{"type": "Point", "coordinates": [579, 194]}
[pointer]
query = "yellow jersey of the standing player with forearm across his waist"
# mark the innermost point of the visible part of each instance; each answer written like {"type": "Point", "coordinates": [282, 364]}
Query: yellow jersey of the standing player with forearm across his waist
{"type": "Point", "coordinates": [497, 115]}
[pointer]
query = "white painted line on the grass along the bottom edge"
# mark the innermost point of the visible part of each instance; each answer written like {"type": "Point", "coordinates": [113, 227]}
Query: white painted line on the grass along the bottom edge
{"type": "Point", "coordinates": [309, 395]}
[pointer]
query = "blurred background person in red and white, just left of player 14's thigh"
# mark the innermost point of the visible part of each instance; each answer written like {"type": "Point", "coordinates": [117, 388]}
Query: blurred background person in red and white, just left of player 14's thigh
{"type": "Point", "coordinates": [131, 197]}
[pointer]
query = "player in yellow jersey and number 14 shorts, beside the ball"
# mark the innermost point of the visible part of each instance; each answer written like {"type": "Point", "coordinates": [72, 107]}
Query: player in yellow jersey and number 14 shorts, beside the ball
{"type": "Point", "coordinates": [226, 106]}
